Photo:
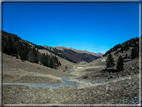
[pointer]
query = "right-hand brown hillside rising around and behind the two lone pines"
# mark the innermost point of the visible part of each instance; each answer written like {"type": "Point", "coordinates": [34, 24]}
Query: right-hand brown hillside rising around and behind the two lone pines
{"type": "Point", "coordinates": [97, 68]}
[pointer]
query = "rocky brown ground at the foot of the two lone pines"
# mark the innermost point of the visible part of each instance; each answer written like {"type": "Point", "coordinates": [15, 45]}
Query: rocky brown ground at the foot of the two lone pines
{"type": "Point", "coordinates": [130, 68]}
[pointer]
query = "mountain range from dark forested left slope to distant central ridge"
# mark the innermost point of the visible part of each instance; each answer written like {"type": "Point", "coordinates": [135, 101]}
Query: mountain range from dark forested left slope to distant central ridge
{"type": "Point", "coordinates": [48, 56]}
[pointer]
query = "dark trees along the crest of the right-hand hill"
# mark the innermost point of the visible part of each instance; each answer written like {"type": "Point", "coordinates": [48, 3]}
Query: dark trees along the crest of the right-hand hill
{"type": "Point", "coordinates": [134, 42]}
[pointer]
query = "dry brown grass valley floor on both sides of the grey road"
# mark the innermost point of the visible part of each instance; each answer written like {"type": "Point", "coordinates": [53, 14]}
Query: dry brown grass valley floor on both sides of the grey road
{"type": "Point", "coordinates": [120, 90]}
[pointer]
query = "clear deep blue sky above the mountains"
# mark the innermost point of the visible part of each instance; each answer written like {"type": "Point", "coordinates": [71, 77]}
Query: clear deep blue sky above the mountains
{"type": "Point", "coordinates": [95, 27]}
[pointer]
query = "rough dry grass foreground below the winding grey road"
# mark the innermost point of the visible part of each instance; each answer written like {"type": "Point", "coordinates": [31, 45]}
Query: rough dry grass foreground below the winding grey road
{"type": "Point", "coordinates": [124, 91]}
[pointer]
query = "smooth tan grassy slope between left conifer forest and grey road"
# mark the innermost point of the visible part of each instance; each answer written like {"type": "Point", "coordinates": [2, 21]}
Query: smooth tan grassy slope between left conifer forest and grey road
{"type": "Point", "coordinates": [15, 70]}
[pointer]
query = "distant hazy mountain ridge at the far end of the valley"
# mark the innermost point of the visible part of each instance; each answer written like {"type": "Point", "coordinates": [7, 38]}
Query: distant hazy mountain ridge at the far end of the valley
{"type": "Point", "coordinates": [73, 55]}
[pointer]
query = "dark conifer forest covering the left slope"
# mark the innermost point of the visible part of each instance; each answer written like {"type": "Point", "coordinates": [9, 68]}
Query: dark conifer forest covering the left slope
{"type": "Point", "coordinates": [15, 46]}
